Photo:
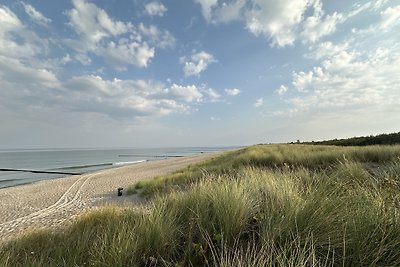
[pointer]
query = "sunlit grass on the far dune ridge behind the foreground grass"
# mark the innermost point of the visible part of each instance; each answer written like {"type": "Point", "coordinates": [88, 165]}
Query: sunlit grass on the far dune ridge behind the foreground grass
{"type": "Point", "coordinates": [268, 156]}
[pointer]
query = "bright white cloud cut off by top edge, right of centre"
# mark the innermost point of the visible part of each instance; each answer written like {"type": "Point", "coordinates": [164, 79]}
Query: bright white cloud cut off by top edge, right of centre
{"type": "Point", "coordinates": [284, 22]}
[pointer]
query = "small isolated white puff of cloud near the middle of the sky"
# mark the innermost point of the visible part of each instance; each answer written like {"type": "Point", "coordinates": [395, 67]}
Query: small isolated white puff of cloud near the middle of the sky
{"type": "Point", "coordinates": [197, 63]}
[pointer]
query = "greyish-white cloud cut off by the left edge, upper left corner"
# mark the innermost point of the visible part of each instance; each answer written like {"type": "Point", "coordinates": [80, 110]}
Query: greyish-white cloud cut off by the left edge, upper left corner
{"type": "Point", "coordinates": [22, 75]}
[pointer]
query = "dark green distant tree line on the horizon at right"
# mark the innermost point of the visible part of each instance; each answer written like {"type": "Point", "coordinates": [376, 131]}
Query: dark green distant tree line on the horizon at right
{"type": "Point", "coordinates": [382, 139]}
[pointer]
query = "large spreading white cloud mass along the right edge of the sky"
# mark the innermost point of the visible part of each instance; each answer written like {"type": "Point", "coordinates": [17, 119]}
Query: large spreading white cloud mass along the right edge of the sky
{"type": "Point", "coordinates": [359, 74]}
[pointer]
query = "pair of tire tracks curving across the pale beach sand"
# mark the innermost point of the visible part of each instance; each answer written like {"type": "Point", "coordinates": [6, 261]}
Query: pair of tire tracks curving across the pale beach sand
{"type": "Point", "coordinates": [67, 199]}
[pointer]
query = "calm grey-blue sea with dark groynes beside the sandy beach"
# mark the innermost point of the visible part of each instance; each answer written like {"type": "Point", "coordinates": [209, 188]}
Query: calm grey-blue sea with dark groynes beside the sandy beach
{"type": "Point", "coordinates": [64, 162]}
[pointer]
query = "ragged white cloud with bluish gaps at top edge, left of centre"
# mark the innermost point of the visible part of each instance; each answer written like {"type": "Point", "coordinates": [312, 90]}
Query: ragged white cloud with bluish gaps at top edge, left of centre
{"type": "Point", "coordinates": [119, 43]}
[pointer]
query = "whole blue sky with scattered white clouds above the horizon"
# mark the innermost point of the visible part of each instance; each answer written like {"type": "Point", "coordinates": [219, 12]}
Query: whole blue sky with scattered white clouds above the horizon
{"type": "Point", "coordinates": [133, 73]}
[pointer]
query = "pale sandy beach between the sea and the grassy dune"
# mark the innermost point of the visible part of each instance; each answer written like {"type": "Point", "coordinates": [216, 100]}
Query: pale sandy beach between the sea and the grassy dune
{"type": "Point", "coordinates": [53, 202]}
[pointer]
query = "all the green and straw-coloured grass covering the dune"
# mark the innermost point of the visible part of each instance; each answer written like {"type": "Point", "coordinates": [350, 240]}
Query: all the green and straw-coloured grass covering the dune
{"type": "Point", "coordinates": [267, 205]}
